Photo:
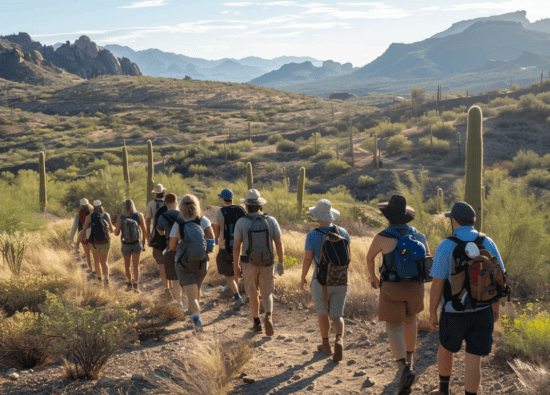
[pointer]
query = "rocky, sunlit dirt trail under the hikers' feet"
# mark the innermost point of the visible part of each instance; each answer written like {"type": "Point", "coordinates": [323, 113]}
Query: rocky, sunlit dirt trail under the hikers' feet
{"type": "Point", "coordinates": [286, 363]}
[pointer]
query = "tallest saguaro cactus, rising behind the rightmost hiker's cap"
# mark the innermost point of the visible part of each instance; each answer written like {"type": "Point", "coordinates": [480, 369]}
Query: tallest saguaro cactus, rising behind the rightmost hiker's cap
{"type": "Point", "coordinates": [474, 164]}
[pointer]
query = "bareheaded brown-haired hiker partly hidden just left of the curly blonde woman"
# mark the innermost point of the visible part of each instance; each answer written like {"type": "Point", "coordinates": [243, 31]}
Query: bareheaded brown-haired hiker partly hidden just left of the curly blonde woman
{"type": "Point", "coordinates": [164, 226]}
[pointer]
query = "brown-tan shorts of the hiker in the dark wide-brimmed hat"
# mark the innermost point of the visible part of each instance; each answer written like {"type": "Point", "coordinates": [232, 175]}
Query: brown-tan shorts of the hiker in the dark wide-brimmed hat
{"type": "Point", "coordinates": [398, 300]}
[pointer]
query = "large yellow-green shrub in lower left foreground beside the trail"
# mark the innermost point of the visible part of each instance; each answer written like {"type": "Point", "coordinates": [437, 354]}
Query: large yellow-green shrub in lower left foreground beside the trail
{"type": "Point", "coordinates": [88, 337]}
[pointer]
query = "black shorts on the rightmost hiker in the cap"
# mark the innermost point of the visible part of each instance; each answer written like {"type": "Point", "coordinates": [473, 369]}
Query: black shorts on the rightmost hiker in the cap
{"type": "Point", "coordinates": [475, 327]}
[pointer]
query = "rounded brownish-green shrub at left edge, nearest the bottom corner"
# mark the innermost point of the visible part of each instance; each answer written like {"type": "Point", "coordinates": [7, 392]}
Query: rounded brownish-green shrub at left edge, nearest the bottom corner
{"type": "Point", "coordinates": [22, 340]}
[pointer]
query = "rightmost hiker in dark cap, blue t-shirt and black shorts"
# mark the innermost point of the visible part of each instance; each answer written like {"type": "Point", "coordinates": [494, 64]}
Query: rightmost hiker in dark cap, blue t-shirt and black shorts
{"type": "Point", "coordinates": [462, 316]}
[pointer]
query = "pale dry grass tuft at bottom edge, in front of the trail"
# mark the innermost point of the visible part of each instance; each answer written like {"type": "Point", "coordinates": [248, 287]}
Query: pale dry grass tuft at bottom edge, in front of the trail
{"type": "Point", "coordinates": [207, 369]}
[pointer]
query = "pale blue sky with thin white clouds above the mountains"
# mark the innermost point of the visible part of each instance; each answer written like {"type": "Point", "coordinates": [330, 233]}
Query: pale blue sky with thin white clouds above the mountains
{"type": "Point", "coordinates": [342, 30]}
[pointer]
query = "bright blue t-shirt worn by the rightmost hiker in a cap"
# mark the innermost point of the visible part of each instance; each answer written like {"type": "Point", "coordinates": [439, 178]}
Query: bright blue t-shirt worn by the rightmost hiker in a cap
{"type": "Point", "coordinates": [443, 260]}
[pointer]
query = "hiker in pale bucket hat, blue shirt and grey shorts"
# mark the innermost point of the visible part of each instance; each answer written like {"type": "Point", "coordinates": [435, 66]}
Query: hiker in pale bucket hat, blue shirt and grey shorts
{"type": "Point", "coordinates": [329, 292]}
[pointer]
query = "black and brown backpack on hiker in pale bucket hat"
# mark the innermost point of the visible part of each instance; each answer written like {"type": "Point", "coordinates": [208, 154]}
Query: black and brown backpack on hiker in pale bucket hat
{"type": "Point", "coordinates": [332, 268]}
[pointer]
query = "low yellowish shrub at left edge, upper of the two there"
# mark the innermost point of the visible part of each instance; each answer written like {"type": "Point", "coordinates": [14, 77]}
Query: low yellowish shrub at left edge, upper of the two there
{"type": "Point", "coordinates": [28, 292]}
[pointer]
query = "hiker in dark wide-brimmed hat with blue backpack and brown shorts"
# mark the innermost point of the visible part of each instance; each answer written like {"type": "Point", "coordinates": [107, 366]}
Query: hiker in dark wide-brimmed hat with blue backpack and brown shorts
{"type": "Point", "coordinates": [401, 288]}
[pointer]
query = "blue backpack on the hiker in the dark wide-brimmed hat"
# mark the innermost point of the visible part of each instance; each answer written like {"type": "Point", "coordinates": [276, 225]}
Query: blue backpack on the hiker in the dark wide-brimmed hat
{"type": "Point", "coordinates": [409, 257]}
